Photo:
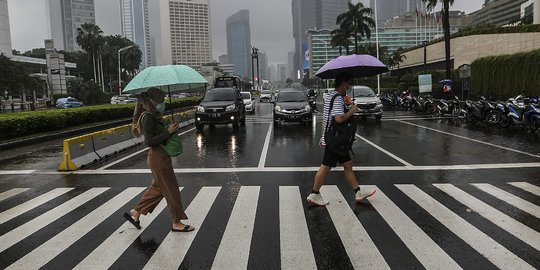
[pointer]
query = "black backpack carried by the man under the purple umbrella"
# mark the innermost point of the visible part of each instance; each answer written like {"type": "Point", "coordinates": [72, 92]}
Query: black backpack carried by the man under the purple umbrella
{"type": "Point", "coordinates": [339, 137]}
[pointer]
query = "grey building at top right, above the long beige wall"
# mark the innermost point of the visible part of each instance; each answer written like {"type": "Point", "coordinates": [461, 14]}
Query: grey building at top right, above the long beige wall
{"type": "Point", "coordinates": [498, 12]}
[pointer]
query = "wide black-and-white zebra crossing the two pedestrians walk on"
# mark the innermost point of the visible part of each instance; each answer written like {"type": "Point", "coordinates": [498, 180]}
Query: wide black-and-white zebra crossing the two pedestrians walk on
{"type": "Point", "coordinates": [42, 231]}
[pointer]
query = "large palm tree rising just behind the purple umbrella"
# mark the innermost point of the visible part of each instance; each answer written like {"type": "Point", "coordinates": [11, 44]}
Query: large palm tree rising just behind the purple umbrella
{"type": "Point", "coordinates": [358, 20]}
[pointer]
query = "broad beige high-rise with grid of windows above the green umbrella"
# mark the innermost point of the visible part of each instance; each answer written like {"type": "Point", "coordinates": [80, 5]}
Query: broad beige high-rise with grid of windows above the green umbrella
{"type": "Point", "coordinates": [184, 33]}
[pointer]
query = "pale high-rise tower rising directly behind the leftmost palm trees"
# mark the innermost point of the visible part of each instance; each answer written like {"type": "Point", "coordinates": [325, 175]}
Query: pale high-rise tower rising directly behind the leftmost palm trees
{"type": "Point", "coordinates": [65, 17]}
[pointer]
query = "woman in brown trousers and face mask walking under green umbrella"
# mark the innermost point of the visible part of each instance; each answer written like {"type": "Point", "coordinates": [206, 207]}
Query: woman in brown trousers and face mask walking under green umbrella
{"type": "Point", "coordinates": [147, 121]}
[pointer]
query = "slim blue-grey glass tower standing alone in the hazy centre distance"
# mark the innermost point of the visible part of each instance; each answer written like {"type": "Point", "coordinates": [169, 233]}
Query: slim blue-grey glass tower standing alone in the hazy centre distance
{"type": "Point", "coordinates": [239, 43]}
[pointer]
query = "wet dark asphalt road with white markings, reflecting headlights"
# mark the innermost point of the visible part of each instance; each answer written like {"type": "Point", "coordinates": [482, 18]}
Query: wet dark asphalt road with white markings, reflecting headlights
{"type": "Point", "coordinates": [403, 152]}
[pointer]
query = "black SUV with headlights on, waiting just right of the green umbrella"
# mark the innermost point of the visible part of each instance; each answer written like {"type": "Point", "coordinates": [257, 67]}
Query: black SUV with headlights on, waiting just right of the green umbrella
{"type": "Point", "coordinates": [221, 106]}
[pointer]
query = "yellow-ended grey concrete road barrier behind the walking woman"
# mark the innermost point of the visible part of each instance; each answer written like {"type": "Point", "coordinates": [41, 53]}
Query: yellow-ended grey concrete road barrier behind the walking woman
{"type": "Point", "coordinates": [84, 150]}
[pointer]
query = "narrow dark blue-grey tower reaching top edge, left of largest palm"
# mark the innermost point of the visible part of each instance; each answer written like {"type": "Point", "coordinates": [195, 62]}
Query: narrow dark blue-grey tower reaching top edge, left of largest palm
{"type": "Point", "coordinates": [303, 15]}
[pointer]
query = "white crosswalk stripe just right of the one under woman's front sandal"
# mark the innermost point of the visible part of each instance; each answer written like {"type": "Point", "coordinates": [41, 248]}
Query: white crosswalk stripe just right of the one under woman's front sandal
{"type": "Point", "coordinates": [233, 251]}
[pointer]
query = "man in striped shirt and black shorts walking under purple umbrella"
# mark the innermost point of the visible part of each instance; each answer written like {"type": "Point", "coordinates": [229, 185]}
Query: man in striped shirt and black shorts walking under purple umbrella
{"type": "Point", "coordinates": [340, 114]}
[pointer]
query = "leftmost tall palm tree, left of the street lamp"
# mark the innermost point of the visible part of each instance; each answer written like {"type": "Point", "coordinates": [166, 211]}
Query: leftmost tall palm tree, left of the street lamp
{"type": "Point", "coordinates": [90, 39]}
